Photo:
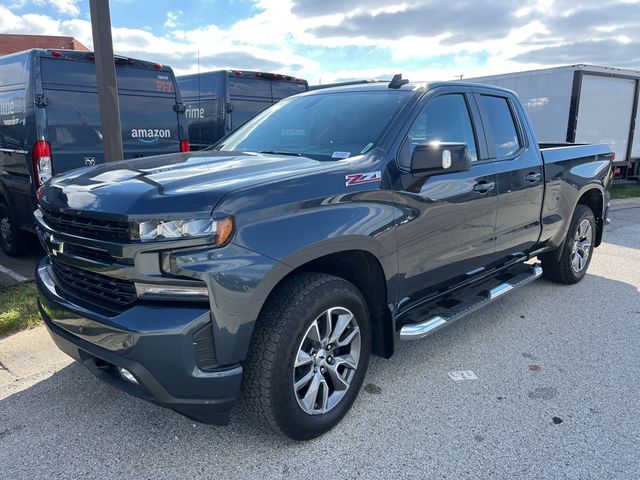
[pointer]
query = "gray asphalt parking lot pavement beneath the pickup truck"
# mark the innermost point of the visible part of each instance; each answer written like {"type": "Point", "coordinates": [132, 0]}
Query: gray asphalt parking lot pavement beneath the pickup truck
{"type": "Point", "coordinates": [556, 396]}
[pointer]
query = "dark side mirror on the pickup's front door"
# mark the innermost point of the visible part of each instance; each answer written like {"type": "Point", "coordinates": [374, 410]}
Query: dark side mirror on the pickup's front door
{"type": "Point", "coordinates": [440, 157]}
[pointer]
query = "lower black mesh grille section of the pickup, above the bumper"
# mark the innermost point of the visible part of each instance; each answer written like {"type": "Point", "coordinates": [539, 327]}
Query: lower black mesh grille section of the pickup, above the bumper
{"type": "Point", "coordinates": [109, 293]}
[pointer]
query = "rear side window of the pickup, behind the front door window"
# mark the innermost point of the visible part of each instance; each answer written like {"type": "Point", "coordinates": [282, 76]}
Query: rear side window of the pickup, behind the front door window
{"type": "Point", "coordinates": [500, 118]}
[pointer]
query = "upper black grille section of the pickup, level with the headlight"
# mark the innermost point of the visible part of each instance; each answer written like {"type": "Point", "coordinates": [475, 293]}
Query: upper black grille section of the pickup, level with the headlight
{"type": "Point", "coordinates": [86, 226]}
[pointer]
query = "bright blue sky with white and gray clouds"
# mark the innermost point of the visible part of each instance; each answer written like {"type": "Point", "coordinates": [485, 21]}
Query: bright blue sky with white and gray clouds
{"type": "Point", "coordinates": [329, 40]}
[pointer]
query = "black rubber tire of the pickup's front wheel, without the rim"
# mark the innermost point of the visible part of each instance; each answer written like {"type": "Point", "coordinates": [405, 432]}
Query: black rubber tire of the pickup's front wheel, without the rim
{"type": "Point", "coordinates": [281, 330]}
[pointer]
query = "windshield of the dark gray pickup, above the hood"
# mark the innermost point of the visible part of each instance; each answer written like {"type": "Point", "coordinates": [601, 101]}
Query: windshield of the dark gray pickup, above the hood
{"type": "Point", "coordinates": [333, 125]}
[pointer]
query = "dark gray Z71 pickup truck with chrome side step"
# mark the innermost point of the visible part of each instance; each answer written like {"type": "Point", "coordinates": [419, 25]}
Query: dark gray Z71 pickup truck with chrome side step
{"type": "Point", "coordinates": [328, 228]}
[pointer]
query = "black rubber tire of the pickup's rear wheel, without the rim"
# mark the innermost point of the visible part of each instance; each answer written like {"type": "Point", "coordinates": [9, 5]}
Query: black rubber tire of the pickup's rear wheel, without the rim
{"type": "Point", "coordinates": [562, 270]}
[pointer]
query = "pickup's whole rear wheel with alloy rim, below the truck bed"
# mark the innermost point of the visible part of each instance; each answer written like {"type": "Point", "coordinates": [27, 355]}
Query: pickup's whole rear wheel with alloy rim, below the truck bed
{"type": "Point", "coordinates": [577, 250]}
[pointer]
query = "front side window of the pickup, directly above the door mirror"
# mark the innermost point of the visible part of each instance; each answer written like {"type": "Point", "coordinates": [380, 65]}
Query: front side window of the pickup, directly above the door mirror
{"type": "Point", "coordinates": [443, 119]}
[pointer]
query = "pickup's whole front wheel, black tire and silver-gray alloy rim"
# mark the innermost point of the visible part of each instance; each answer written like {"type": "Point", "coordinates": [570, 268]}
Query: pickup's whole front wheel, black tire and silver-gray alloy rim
{"type": "Point", "coordinates": [308, 355]}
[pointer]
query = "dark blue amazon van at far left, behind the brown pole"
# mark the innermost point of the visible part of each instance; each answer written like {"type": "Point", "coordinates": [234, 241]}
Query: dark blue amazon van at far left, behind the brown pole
{"type": "Point", "coordinates": [50, 123]}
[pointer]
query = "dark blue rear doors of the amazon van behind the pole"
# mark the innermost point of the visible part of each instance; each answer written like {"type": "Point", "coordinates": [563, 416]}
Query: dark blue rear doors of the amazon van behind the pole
{"type": "Point", "coordinates": [149, 120]}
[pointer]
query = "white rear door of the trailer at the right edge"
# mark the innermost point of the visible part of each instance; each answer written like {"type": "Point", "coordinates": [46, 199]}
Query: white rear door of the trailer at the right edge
{"type": "Point", "coordinates": [605, 112]}
